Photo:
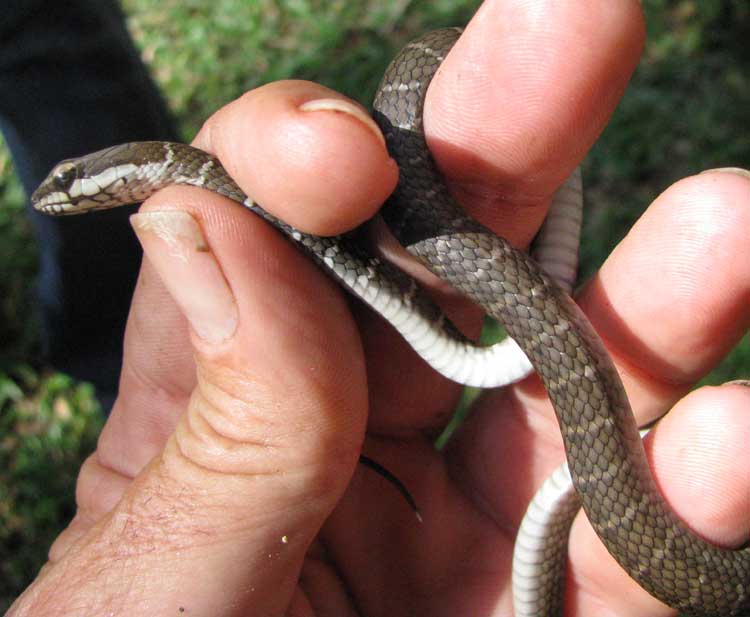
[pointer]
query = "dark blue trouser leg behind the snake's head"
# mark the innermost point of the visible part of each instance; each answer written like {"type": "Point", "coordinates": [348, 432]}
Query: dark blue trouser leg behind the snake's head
{"type": "Point", "coordinates": [71, 82]}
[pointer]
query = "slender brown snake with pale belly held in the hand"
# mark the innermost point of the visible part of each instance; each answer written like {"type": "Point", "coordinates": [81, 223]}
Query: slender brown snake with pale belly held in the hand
{"type": "Point", "coordinates": [604, 451]}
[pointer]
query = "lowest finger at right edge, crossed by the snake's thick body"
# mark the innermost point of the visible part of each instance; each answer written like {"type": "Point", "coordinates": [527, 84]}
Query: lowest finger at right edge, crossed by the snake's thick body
{"type": "Point", "coordinates": [694, 453]}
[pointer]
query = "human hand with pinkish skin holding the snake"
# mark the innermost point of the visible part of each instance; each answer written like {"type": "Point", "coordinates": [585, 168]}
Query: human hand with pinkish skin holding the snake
{"type": "Point", "coordinates": [223, 480]}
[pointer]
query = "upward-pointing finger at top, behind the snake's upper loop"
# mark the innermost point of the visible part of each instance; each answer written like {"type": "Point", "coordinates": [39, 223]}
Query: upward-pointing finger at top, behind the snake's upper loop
{"type": "Point", "coordinates": [522, 97]}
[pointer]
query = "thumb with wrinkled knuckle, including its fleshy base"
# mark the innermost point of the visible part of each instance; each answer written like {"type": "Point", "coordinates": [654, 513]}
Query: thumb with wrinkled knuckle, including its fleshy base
{"type": "Point", "coordinates": [220, 520]}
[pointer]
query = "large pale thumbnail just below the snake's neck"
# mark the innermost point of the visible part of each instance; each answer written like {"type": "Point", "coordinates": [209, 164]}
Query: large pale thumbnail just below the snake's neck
{"type": "Point", "coordinates": [175, 245]}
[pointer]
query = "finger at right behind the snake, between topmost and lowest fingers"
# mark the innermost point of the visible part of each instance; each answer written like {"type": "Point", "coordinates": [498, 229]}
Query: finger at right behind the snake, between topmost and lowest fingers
{"type": "Point", "coordinates": [669, 303]}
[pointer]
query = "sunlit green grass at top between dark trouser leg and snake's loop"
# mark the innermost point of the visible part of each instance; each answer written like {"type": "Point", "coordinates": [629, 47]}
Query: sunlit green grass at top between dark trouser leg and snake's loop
{"type": "Point", "coordinates": [230, 46]}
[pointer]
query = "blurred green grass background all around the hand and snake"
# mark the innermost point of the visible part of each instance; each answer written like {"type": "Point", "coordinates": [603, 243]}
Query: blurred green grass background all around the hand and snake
{"type": "Point", "coordinates": [687, 109]}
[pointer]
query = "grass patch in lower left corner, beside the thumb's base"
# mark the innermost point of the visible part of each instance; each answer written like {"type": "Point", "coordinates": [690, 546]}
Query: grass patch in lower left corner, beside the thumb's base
{"type": "Point", "coordinates": [47, 427]}
